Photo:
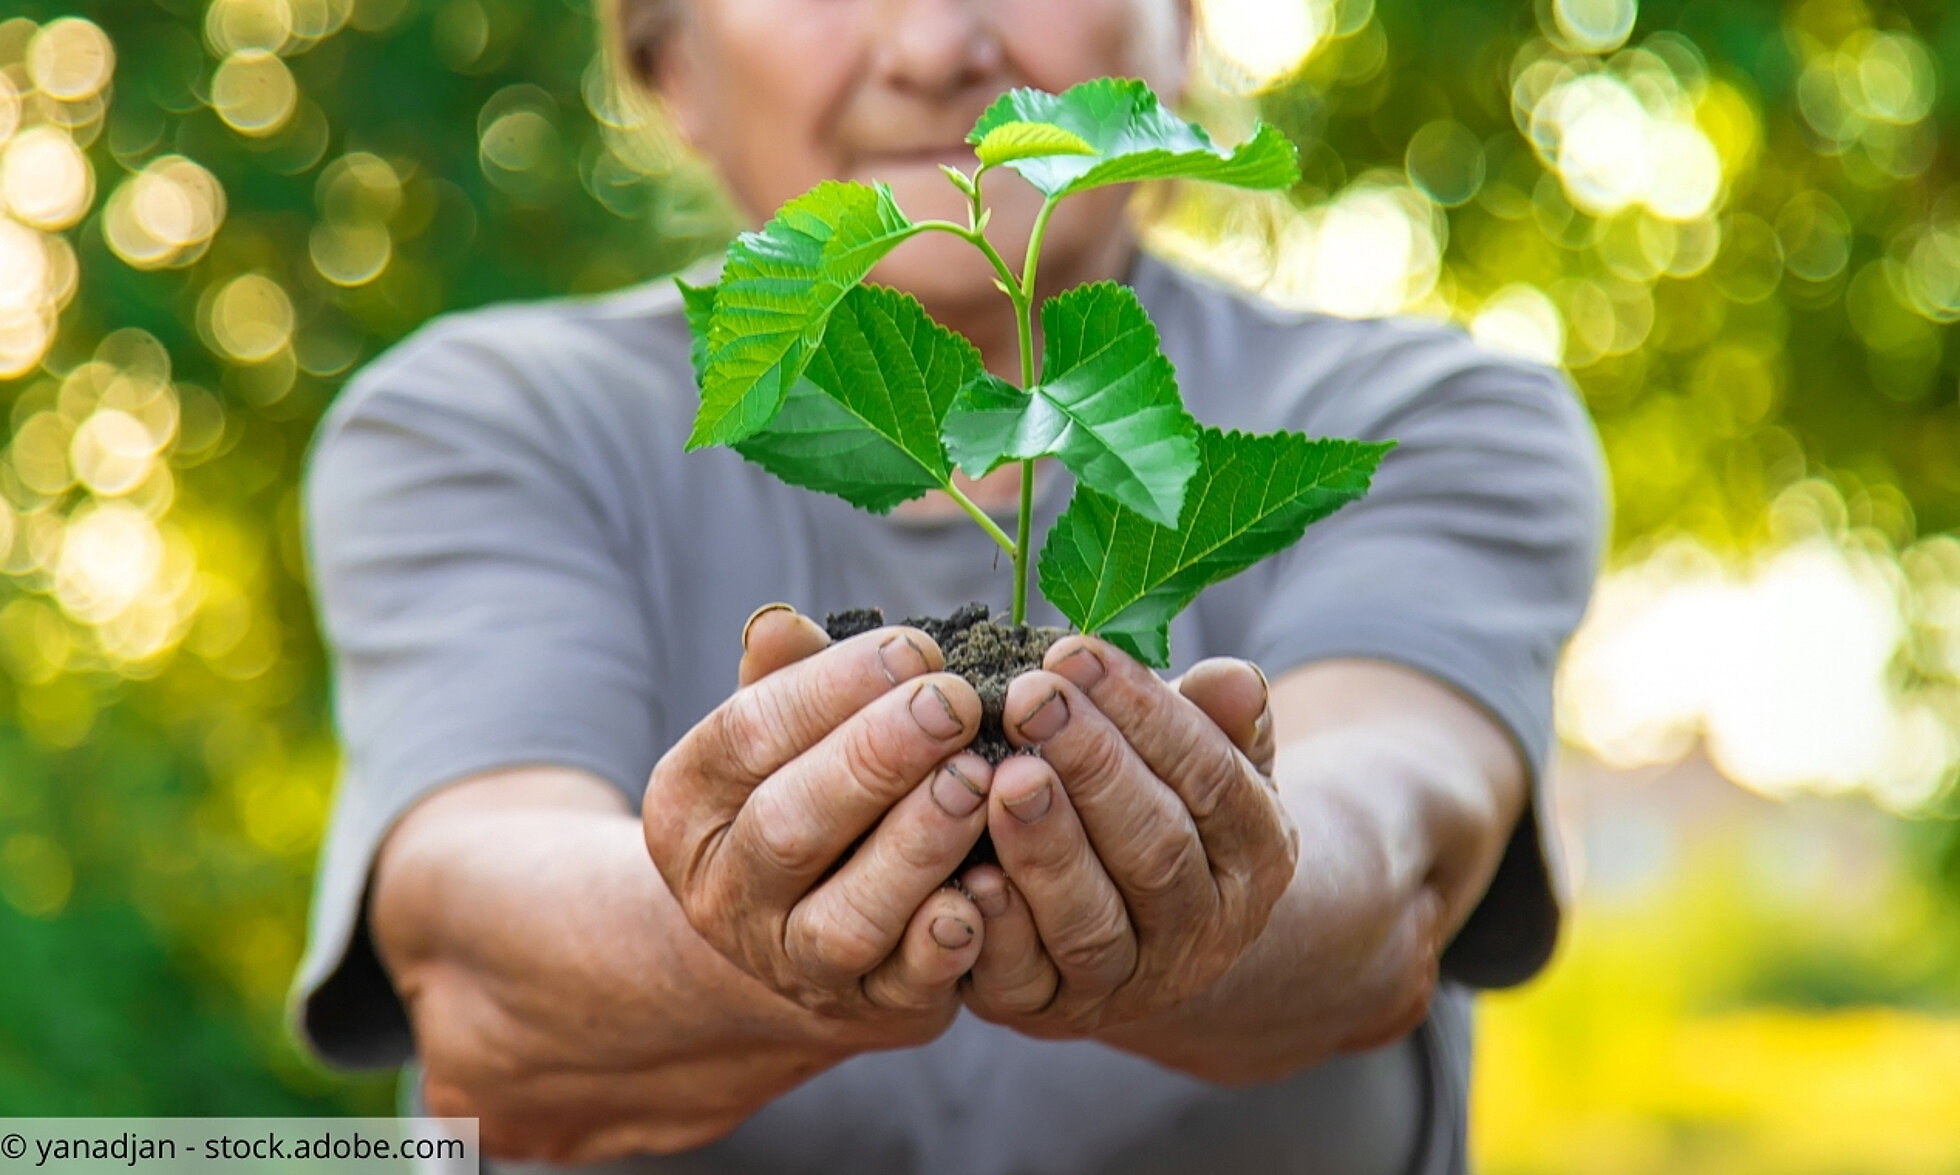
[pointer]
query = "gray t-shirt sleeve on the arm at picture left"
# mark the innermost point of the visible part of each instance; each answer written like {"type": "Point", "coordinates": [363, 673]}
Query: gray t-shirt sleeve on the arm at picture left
{"type": "Point", "coordinates": [479, 613]}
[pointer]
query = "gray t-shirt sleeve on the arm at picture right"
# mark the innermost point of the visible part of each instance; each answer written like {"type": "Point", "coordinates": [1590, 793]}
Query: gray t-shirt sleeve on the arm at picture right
{"type": "Point", "coordinates": [1471, 560]}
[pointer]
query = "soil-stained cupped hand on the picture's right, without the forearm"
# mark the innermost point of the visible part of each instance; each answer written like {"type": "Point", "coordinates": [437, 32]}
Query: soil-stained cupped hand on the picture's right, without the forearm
{"type": "Point", "coordinates": [1142, 850]}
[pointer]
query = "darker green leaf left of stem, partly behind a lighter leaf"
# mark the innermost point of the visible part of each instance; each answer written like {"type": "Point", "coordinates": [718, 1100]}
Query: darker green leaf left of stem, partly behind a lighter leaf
{"type": "Point", "coordinates": [863, 423]}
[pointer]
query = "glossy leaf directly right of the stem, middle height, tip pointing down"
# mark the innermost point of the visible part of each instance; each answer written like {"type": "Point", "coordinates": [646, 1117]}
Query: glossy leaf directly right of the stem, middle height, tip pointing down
{"type": "Point", "coordinates": [1106, 405]}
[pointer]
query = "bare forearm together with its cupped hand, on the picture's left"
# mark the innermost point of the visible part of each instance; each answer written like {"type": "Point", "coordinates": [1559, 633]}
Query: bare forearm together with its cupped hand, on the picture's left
{"type": "Point", "coordinates": [560, 994]}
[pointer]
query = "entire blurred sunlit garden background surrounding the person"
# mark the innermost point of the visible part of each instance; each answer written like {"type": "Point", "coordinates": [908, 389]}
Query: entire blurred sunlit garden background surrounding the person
{"type": "Point", "coordinates": [1736, 223]}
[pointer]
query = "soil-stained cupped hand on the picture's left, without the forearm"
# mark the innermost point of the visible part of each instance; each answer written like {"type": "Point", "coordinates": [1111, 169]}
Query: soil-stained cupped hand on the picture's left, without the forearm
{"type": "Point", "coordinates": [810, 823]}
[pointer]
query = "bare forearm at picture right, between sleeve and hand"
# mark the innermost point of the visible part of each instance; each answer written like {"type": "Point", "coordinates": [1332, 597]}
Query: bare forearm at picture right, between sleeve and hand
{"type": "Point", "coordinates": [1404, 797]}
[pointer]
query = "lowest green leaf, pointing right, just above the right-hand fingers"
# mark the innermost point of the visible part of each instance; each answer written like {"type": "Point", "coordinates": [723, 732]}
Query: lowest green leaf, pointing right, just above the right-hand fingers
{"type": "Point", "coordinates": [1124, 578]}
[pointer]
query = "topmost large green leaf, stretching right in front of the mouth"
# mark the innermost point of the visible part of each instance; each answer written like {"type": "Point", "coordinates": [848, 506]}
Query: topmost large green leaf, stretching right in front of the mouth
{"type": "Point", "coordinates": [1134, 138]}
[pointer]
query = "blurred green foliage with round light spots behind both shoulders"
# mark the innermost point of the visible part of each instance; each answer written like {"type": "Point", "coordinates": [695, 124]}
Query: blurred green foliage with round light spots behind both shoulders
{"type": "Point", "coordinates": [201, 242]}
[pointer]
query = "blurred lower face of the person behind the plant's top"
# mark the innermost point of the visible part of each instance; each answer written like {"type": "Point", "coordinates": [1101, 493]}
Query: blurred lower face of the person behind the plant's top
{"type": "Point", "coordinates": [787, 93]}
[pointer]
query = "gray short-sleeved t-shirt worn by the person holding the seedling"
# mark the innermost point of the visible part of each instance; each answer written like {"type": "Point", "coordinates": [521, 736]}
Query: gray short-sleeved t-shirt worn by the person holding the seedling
{"type": "Point", "coordinates": [516, 564]}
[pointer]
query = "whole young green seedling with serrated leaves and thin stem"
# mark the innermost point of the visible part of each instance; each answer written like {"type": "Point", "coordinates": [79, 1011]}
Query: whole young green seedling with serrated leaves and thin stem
{"type": "Point", "coordinates": [852, 389]}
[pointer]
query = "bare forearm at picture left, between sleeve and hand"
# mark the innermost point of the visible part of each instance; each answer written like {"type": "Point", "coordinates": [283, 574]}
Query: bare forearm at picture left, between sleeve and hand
{"type": "Point", "coordinates": [558, 992]}
